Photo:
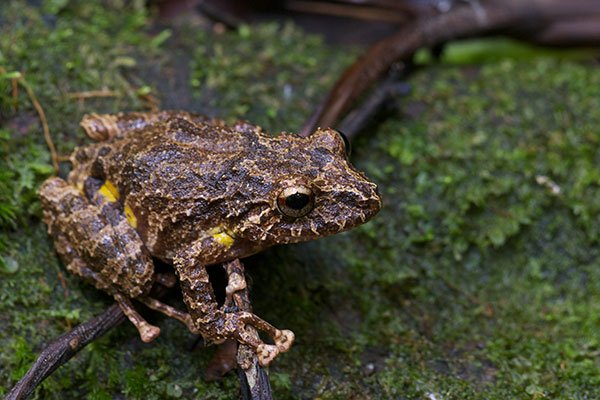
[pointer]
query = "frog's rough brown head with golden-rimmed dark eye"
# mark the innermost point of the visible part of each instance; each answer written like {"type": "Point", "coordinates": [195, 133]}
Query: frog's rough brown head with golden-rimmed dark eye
{"type": "Point", "coordinates": [309, 190]}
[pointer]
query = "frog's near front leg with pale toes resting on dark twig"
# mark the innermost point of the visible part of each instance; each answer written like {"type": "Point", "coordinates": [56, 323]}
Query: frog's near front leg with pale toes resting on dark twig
{"type": "Point", "coordinates": [216, 324]}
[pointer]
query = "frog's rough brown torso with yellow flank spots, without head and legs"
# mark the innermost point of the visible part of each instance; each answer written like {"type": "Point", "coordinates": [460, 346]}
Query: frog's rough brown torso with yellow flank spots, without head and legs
{"type": "Point", "coordinates": [168, 171]}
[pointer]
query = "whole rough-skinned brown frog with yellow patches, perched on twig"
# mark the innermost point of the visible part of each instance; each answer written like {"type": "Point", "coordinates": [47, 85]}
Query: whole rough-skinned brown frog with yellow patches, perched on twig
{"type": "Point", "coordinates": [194, 192]}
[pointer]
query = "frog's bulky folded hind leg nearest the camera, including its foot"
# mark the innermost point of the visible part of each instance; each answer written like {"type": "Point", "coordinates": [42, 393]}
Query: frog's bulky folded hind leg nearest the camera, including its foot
{"type": "Point", "coordinates": [97, 243]}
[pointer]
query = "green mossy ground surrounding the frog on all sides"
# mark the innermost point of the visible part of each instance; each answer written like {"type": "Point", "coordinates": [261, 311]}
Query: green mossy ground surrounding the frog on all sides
{"type": "Point", "coordinates": [479, 279]}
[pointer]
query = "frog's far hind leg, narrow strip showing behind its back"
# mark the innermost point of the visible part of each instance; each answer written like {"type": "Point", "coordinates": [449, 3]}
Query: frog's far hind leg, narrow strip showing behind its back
{"type": "Point", "coordinates": [102, 127]}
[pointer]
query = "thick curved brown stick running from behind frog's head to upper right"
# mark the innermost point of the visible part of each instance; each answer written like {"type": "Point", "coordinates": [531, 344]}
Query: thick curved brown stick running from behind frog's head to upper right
{"type": "Point", "coordinates": [466, 20]}
